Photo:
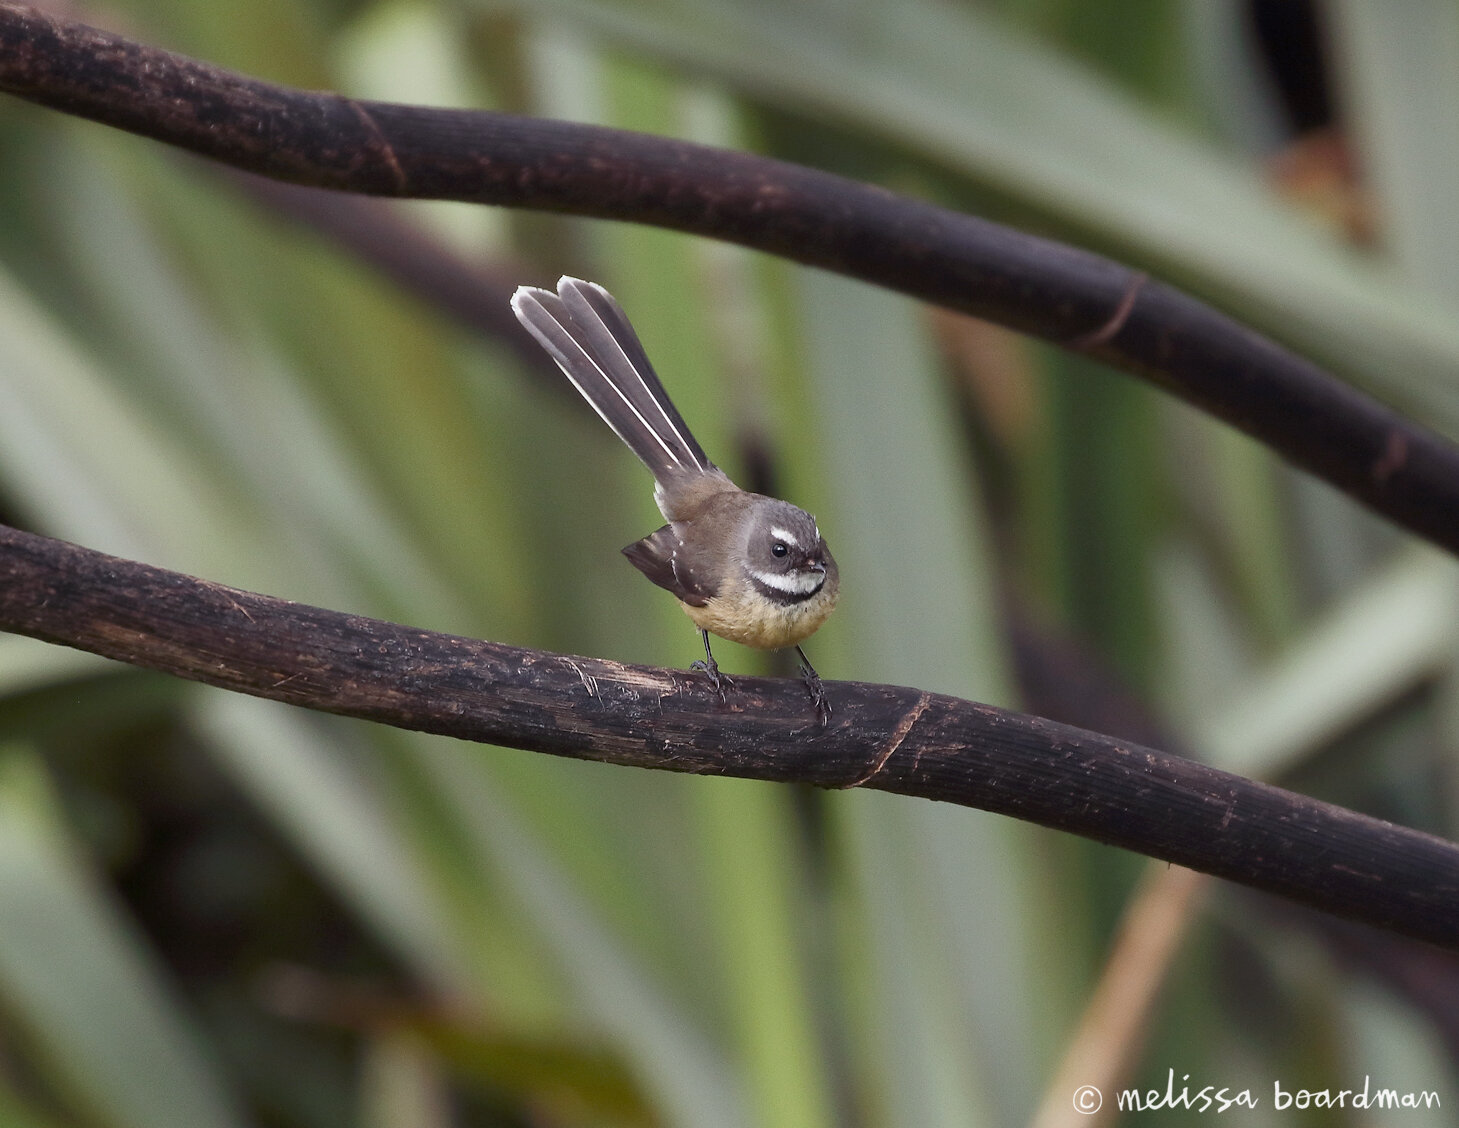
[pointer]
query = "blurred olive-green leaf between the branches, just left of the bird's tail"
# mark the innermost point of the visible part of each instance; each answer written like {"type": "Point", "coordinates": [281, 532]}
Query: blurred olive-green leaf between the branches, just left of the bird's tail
{"type": "Point", "coordinates": [383, 374]}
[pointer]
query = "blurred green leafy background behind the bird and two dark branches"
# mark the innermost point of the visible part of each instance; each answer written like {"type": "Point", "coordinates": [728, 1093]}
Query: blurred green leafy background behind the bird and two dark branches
{"type": "Point", "coordinates": [218, 911]}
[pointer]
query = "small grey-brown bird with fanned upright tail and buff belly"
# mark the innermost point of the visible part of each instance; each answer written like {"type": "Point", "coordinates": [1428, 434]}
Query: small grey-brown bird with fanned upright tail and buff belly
{"type": "Point", "coordinates": [748, 568]}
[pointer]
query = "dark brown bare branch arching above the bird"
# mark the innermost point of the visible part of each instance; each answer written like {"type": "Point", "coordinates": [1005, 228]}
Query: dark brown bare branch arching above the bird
{"type": "Point", "coordinates": [959, 262]}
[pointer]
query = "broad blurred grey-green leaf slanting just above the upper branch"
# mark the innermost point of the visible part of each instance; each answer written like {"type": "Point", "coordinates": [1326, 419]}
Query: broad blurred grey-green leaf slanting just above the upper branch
{"type": "Point", "coordinates": [965, 90]}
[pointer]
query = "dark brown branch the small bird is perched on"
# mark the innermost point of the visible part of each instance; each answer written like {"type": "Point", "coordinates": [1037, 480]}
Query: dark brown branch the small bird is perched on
{"type": "Point", "coordinates": [883, 738]}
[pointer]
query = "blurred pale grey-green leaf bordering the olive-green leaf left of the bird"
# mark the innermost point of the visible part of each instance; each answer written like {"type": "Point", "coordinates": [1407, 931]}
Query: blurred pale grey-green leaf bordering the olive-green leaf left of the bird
{"type": "Point", "coordinates": [230, 401]}
